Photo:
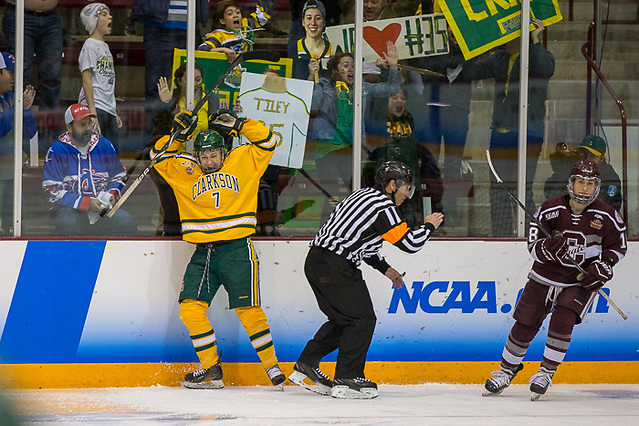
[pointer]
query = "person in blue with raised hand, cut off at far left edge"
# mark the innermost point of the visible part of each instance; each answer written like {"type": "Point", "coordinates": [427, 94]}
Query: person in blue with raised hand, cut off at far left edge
{"type": "Point", "coordinates": [7, 113]}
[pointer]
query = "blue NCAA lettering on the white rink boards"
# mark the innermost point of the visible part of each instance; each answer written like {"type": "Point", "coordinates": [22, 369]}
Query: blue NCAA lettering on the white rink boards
{"type": "Point", "coordinates": [441, 297]}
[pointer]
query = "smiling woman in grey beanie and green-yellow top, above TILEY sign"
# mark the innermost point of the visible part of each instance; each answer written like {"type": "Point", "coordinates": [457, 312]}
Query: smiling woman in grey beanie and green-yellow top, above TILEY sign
{"type": "Point", "coordinates": [315, 46]}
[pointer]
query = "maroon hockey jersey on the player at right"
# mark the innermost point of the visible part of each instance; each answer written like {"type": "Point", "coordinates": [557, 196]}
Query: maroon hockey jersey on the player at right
{"type": "Point", "coordinates": [598, 232]}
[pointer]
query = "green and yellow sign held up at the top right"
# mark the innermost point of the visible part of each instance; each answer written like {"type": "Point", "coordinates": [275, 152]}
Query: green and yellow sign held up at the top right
{"type": "Point", "coordinates": [480, 25]}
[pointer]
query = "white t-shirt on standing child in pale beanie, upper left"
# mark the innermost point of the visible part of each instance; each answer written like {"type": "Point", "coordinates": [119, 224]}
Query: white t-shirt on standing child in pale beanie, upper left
{"type": "Point", "coordinates": [95, 54]}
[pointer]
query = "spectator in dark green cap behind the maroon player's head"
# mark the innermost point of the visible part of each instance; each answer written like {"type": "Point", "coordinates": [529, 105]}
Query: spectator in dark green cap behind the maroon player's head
{"type": "Point", "coordinates": [593, 148]}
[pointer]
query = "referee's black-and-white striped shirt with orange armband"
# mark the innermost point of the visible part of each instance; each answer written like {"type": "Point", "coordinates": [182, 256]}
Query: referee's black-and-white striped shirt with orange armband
{"type": "Point", "coordinates": [357, 227]}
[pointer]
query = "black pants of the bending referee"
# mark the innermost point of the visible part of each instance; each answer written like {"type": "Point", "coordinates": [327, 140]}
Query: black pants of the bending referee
{"type": "Point", "coordinates": [342, 295]}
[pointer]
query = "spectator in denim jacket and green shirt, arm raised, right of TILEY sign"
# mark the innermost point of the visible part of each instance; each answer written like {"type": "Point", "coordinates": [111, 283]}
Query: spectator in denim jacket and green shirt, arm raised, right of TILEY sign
{"type": "Point", "coordinates": [332, 128]}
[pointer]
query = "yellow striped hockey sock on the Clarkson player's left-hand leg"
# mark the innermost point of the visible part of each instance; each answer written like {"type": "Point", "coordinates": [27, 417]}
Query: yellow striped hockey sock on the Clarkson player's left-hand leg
{"type": "Point", "coordinates": [193, 315]}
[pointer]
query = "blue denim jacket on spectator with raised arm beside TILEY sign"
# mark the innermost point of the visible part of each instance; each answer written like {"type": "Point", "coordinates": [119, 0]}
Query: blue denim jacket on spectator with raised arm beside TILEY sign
{"type": "Point", "coordinates": [325, 103]}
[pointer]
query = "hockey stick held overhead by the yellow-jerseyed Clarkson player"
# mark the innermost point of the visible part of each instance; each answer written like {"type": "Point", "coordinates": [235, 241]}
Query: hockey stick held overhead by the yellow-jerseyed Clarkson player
{"type": "Point", "coordinates": [264, 55]}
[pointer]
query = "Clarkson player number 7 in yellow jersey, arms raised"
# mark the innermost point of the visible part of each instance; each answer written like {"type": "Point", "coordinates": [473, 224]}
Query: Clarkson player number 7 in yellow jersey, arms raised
{"type": "Point", "coordinates": [216, 193]}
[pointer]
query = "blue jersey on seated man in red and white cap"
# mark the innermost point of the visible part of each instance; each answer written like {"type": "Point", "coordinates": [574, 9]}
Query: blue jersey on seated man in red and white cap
{"type": "Point", "coordinates": [72, 179]}
